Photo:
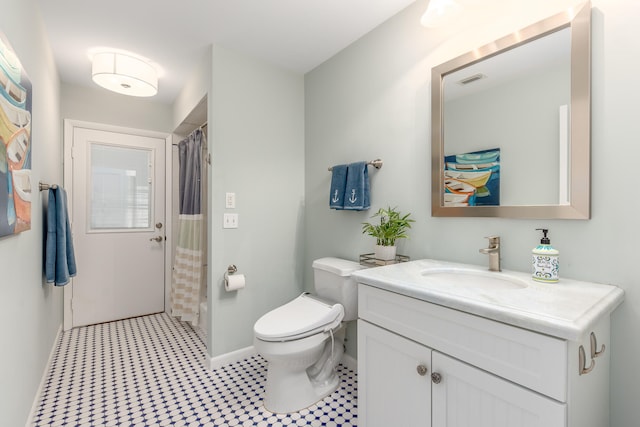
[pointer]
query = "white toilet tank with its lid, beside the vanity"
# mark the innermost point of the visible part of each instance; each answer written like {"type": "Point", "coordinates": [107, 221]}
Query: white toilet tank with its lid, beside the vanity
{"type": "Point", "coordinates": [332, 281]}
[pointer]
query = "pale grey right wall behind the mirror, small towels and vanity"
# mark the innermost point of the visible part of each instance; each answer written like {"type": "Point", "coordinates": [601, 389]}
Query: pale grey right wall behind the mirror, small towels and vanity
{"type": "Point", "coordinates": [373, 100]}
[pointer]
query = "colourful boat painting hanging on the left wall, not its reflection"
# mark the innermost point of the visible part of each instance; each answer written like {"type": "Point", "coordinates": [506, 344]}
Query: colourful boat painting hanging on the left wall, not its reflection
{"type": "Point", "coordinates": [15, 143]}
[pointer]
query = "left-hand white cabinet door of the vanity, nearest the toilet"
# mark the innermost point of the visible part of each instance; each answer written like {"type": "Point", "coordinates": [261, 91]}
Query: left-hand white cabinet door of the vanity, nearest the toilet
{"type": "Point", "coordinates": [394, 383]}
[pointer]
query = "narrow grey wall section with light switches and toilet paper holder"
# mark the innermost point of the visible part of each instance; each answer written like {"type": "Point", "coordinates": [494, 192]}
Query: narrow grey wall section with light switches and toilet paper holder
{"type": "Point", "coordinates": [256, 138]}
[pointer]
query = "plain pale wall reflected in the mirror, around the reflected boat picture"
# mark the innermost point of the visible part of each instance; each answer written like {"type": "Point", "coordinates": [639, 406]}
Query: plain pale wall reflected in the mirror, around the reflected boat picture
{"type": "Point", "coordinates": [514, 103]}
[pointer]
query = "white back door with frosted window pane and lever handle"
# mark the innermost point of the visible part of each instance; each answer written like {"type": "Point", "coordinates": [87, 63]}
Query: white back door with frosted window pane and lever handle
{"type": "Point", "coordinates": [117, 202]}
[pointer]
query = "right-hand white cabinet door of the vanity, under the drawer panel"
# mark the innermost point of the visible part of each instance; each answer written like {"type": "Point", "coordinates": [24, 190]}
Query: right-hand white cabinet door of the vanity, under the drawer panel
{"type": "Point", "coordinates": [469, 397]}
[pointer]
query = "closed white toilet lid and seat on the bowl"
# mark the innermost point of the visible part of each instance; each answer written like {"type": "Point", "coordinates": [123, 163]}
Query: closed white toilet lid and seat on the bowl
{"type": "Point", "coordinates": [304, 316]}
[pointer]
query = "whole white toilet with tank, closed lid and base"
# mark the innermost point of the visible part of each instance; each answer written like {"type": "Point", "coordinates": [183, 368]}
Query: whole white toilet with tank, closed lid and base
{"type": "Point", "coordinates": [303, 340]}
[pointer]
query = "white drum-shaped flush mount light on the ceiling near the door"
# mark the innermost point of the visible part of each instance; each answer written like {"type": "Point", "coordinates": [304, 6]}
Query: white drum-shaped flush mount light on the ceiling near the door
{"type": "Point", "coordinates": [125, 74]}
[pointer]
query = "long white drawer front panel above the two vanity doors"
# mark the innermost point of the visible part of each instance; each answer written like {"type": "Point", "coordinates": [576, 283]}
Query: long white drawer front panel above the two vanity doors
{"type": "Point", "coordinates": [533, 360]}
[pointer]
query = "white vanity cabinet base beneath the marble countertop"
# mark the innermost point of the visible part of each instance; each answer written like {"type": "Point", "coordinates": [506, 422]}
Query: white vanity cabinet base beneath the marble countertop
{"type": "Point", "coordinates": [424, 364]}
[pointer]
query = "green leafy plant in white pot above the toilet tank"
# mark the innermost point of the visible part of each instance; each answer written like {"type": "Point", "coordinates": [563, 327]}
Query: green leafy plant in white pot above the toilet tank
{"type": "Point", "coordinates": [393, 225]}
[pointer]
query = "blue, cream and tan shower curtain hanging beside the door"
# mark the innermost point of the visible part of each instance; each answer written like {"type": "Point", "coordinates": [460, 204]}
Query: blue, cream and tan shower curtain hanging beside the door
{"type": "Point", "coordinates": [187, 269]}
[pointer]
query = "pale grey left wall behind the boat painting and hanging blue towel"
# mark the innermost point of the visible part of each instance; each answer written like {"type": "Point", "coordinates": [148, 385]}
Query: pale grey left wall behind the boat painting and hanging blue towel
{"type": "Point", "coordinates": [31, 312]}
